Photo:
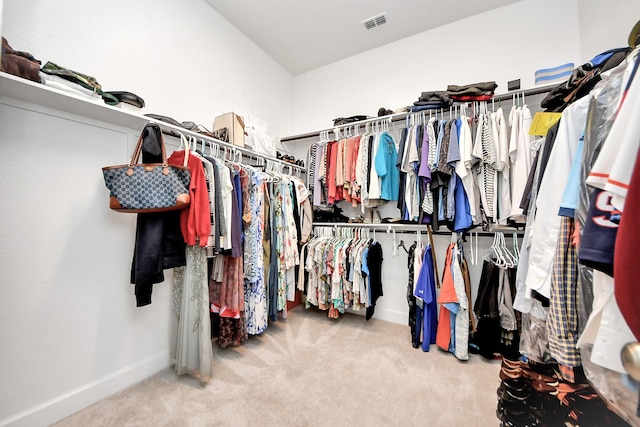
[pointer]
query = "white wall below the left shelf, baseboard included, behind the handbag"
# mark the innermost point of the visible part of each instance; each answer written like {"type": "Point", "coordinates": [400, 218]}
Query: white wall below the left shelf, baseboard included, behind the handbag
{"type": "Point", "coordinates": [71, 333]}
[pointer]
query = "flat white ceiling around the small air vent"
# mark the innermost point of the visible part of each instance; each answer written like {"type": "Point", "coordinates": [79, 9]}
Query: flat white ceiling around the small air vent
{"type": "Point", "coordinates": [306, 34]}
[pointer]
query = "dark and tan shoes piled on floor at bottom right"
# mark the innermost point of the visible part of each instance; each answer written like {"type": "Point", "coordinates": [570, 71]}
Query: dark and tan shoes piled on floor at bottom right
{"type": "Point", "coordinates": [535, 395]}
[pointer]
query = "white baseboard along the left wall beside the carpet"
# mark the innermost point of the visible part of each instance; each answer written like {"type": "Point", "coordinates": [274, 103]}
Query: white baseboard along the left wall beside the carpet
{"type": "Point", "coordinates": [68, 403]}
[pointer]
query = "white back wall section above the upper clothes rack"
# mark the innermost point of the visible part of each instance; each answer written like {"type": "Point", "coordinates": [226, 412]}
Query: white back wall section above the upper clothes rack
{"type": "Point", "coordinates": [500, 45]}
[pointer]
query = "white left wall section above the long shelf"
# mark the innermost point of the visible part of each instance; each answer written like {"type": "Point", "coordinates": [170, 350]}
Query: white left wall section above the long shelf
{"type": "Point", "coordinates": [181, 57]}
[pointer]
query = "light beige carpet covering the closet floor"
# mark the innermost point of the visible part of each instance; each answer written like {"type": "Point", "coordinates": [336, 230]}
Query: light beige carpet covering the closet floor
{"type": "Point", "coordinates": [310, 370]}
